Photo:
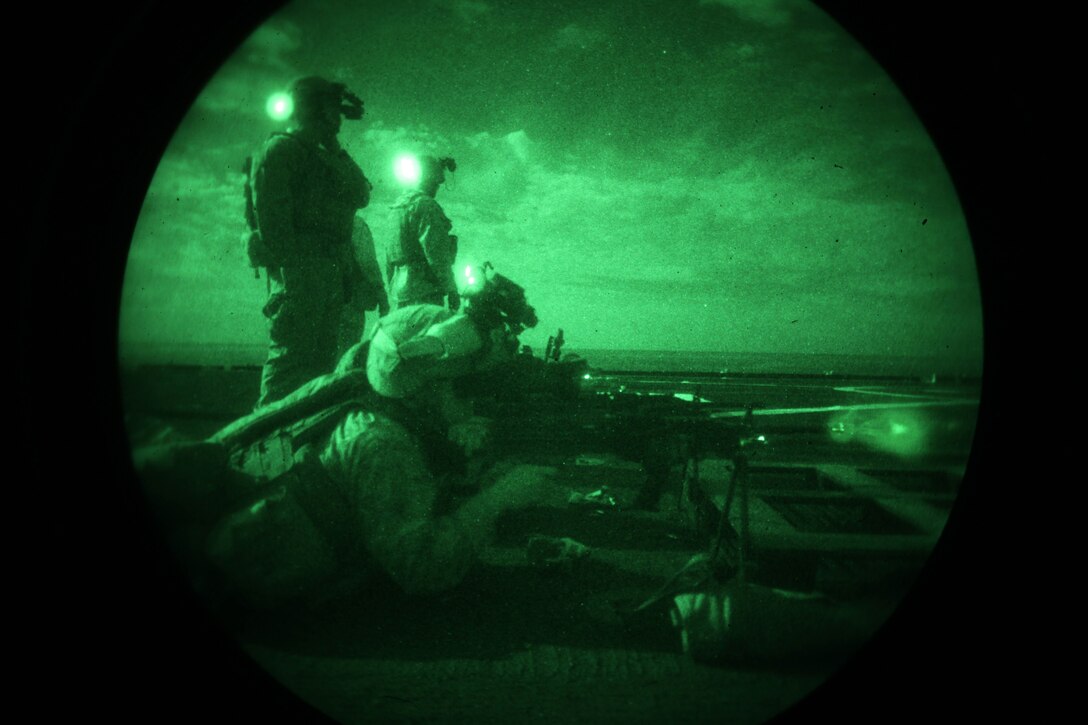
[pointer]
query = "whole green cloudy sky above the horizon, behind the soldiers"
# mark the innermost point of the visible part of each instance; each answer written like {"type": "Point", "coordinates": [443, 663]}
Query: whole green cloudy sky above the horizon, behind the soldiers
{"type": "Point", "coordinates": [734, 176]}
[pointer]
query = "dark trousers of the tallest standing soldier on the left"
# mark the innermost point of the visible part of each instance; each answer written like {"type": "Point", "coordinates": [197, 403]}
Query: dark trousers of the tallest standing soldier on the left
{"type": "Point", "coordinates": [304, 312]}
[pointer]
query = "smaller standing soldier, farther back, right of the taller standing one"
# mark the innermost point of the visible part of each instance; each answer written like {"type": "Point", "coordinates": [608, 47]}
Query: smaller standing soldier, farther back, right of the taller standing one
{"type": "Point", "coordinates": [419, 261]}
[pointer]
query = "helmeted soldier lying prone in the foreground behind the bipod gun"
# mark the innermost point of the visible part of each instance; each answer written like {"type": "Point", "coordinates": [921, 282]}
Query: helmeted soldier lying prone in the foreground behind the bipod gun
{"type": "Point", "coordinates": [339, 487]}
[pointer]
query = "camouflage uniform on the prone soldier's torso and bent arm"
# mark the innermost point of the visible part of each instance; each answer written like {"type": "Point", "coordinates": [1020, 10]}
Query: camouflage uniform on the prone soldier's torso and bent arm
{"type": "Point", "coordinates": [365, 505]}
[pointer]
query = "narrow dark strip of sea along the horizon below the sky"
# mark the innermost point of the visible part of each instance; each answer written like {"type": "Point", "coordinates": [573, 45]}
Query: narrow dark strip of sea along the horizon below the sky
{"type": "Point", "coordinates": [637, 361]}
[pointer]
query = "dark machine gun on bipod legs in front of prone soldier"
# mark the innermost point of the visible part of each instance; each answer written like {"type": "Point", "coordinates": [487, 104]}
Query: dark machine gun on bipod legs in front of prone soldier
{"type": "Point", "coordinates": [557, 410]}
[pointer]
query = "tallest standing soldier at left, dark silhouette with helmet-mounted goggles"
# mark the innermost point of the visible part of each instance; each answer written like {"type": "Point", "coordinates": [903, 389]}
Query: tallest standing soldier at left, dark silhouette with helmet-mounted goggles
{"type": "Point", "coordinates": [306, 191]}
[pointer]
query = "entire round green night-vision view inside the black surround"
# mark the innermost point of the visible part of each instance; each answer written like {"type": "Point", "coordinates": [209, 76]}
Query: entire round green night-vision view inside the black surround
{"type": "Point", "coordinates": [740, 415]}
